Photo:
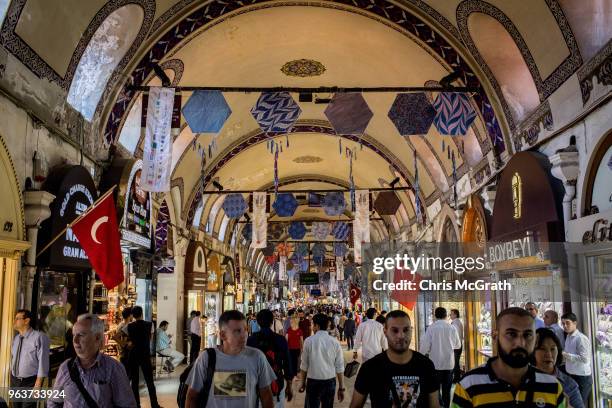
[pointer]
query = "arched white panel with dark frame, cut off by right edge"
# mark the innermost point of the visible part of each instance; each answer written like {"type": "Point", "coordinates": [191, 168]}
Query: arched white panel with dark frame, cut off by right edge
{"type": "Point", "coordinates": [598, 178]}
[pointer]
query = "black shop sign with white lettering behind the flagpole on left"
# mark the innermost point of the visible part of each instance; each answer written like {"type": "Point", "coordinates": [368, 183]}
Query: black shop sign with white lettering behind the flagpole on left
{"type": "Point", "coordinates": [74, 192]}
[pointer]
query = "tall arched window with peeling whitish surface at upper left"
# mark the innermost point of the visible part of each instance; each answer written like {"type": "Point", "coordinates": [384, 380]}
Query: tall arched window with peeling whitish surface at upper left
{"type": "Point", "coordinates": [107, 47]}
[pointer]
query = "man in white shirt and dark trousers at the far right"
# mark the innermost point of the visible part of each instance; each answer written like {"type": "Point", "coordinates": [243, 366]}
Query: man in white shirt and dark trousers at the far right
{"type": "Point", "coordinates": [577, 356]}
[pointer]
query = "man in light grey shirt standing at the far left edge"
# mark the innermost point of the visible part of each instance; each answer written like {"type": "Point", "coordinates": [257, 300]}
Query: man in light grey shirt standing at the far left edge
{"type": "Point", "coordinates": [29, 356]}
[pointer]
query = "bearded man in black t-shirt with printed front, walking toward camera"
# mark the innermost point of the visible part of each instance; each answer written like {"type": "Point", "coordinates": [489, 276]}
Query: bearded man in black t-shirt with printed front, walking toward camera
{"type": "Point", "coordinates": [398, 377]}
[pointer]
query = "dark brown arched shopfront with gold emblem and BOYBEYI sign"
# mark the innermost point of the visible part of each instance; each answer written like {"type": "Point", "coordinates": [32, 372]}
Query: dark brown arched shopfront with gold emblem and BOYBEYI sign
{"type": "Point", "coordinates": [527, 233]}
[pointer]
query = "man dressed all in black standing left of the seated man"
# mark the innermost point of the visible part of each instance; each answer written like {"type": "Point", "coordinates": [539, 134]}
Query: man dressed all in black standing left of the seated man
{"type": "Point", "coordinates": [139, 332]}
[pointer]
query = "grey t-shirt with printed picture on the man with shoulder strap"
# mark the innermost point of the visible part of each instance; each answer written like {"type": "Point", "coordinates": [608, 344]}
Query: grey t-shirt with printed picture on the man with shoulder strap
{"type": "Point", "coordinates": [236, 378]}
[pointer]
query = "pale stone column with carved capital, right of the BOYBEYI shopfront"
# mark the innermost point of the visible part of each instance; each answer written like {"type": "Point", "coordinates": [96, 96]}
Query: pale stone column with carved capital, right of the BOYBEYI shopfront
{"type": "Point", "coordinates": [566, 167]}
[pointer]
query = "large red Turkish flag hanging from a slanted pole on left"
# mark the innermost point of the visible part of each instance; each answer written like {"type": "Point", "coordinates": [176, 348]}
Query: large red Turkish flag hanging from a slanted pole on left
{"type": "Point", "coordinates": [98, 234]}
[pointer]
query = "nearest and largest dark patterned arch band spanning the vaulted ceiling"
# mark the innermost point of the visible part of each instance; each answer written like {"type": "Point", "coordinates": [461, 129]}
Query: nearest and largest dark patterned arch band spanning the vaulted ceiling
{"type": "Point", "coordinates": [388, 13]}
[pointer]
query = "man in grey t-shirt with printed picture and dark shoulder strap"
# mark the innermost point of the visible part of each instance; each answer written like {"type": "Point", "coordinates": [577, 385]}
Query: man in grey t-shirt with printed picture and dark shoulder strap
{"type": "Point", "coordinates": [232, 375]}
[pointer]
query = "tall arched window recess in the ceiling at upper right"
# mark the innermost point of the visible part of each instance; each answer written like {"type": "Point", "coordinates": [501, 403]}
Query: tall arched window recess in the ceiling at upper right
{"type": "Point", "coordinates": [500, 52]}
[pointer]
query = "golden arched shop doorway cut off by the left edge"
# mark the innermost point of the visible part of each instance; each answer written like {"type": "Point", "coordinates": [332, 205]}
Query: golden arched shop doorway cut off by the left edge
{"type": "Point", "coordinates": [12, 247]}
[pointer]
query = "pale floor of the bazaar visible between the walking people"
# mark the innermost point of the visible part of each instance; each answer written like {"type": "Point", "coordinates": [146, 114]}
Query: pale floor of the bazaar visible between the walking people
{"type": "Point", "coordinates": [167, 387]}
